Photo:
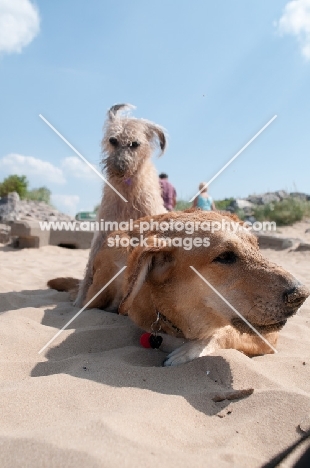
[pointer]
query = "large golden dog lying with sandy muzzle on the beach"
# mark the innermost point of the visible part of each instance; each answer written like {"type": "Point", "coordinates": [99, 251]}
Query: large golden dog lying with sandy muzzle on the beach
{"type": "Point", "coordinates": [160, 291]}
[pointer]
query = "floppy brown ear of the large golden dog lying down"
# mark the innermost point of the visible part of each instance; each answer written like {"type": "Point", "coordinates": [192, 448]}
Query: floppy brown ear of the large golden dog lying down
{"type": "Point", "coordinates": [145, 264]}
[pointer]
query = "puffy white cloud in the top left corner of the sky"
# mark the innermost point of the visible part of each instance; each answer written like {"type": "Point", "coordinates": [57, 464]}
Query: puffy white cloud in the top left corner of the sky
{"type": "Point", "coordinates": [19, 24]}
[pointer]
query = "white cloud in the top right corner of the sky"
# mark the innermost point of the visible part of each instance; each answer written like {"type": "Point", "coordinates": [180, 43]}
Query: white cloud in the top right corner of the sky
{"type": "Point", "coordinates": [295, 20]}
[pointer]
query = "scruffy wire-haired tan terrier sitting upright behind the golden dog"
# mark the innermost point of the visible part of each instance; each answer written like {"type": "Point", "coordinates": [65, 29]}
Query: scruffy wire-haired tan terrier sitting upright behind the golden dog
{"type": "Point", "coordinates": [127, 146]}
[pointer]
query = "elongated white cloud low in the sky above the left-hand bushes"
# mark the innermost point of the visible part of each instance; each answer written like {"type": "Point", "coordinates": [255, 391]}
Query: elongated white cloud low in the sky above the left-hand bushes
{"type": "Point", "coordinates": [30, 166]}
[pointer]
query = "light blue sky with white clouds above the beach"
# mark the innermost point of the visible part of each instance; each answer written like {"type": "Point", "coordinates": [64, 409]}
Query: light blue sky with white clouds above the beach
{"type": "Point", "coordinates": [212, 73]}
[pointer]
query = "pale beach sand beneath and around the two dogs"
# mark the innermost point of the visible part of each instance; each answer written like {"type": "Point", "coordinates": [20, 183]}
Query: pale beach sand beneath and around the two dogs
{"type": "Point", "coordinates": [95, 398]}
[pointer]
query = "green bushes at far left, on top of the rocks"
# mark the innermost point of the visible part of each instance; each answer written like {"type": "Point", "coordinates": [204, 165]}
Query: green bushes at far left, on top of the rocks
{"type": "Point", "coordinates": [19, 184]}
